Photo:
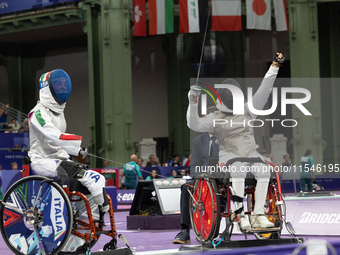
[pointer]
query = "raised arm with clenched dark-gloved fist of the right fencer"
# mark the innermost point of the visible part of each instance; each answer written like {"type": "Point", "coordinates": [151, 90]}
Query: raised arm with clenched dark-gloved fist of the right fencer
{"type": "Point", "coordinates": [261, 96]}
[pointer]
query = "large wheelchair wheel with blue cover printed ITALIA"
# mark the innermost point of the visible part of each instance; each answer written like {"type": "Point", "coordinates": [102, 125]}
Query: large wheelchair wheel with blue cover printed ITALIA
{"type": "Point", "coordinates": [35, 215]}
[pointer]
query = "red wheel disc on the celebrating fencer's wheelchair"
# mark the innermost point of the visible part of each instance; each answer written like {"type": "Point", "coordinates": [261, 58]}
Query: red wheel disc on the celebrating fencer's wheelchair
{"type": "Point", "coordinates": [205, 217]}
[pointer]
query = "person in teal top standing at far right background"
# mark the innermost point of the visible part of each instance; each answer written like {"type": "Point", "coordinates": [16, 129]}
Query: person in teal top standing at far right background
{"type": "Point", "coordinates": [306, 175]}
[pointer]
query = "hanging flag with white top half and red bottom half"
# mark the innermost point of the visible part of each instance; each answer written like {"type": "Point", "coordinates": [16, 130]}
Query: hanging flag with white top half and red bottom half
{"type": "Point", "coordinates": [226, 15]}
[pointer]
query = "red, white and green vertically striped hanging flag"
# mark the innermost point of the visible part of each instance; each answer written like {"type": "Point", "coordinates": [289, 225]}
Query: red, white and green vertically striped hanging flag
{"type": "Point", "coordinates": [161, 17]}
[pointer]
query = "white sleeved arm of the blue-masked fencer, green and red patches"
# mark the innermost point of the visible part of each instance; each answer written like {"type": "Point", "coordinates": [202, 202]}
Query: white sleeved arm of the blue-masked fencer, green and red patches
{"type": "Point", "coordinates": [40, 119]}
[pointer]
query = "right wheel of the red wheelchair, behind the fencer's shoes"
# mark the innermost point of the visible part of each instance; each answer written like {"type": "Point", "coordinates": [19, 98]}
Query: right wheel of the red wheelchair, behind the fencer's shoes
{"type": "Point", "coordinates": [269, 208]}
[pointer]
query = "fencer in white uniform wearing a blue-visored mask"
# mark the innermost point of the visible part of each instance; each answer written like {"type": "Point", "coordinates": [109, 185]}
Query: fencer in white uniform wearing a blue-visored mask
{"type": "Point", "coordinates": [51, 146]}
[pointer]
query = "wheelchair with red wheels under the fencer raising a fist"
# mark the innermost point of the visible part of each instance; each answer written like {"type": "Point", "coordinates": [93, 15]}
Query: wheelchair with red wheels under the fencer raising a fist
{"type": "Point", "coordinates": [205, 205]}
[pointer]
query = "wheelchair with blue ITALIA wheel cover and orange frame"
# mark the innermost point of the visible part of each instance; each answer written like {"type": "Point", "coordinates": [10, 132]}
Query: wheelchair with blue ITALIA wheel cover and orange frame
{"type": "Point", "coordinates": [40, 215]}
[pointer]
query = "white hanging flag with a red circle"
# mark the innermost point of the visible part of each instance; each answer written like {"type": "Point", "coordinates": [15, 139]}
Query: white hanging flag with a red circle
{"type": "Point", "coordinates": [259, 14]}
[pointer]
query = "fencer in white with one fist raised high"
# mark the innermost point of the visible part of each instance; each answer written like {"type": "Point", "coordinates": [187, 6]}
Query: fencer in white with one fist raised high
{"type": "Point", "coordinates": [238, 140]}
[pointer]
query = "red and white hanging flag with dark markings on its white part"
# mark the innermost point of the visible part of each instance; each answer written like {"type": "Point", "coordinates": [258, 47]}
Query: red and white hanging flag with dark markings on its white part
{"type": "Point", "coordinates": [188, 16]}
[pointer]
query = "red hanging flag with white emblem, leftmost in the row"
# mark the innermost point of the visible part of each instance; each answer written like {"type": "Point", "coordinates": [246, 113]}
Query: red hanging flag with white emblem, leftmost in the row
{"type": "Point", "coordinates": [139, 18]}
